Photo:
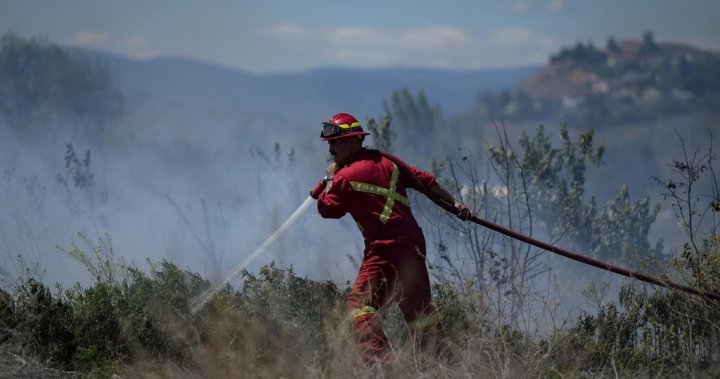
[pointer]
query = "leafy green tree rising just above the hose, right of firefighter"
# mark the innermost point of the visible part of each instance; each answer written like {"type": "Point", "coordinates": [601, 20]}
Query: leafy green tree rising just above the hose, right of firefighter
{"type": "Point", "coordinates": [555, 178]}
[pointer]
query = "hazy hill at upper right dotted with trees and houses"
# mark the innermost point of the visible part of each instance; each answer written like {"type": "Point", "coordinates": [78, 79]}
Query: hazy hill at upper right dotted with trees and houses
{"type": "Point", "coordinates": [627, 81]}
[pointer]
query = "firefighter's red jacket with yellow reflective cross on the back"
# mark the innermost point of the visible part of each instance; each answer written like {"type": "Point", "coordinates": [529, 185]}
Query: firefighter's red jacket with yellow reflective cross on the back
{"type": "Point", "coordinates": [371, 188]}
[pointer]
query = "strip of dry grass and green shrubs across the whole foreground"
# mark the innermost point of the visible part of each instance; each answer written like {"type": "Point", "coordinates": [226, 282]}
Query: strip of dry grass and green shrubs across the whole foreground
{"type": "Point", "coordinates": [280, 325]}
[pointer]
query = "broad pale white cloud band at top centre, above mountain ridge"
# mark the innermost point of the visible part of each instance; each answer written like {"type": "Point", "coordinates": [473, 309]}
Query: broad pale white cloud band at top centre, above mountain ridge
{"type": "Point", "coordinates": [438, 46]}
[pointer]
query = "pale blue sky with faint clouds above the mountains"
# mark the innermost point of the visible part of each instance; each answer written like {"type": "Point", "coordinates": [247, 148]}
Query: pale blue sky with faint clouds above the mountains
{"type": "Point", "coordinates": [266, 36]}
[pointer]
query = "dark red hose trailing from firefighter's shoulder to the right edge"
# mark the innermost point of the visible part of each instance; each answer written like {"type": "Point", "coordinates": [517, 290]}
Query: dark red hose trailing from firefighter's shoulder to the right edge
{"type": "Point", "coordinates": [546, 246]}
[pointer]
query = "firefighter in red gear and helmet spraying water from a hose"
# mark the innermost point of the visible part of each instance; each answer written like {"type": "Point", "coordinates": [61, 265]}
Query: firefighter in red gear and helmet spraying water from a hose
{"type": "Point", "coordinates": [370, 187]}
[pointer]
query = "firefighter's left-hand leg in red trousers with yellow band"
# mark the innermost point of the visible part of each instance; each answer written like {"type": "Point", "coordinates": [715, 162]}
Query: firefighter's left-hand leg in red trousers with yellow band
{"type": "Point", "coordinates": [367, 296]}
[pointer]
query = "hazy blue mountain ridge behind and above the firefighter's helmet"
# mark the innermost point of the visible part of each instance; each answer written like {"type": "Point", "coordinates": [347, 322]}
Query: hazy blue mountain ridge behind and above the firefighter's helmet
{"type": "Point", "coordinates": [311, 93]}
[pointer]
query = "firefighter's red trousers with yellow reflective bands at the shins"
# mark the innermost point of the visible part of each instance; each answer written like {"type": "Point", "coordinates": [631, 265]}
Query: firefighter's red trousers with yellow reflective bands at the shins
{"type": "Point", "coordinates": [393, 271]}
